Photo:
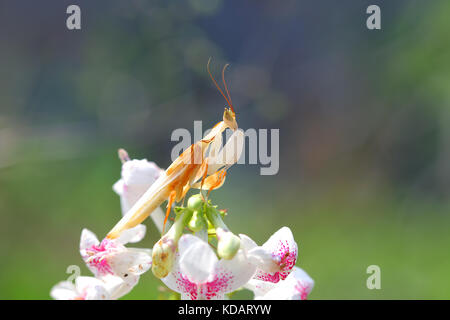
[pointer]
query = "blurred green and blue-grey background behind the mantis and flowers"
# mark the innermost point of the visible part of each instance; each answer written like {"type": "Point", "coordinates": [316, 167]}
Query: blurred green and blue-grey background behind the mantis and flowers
{"type": "Point", "coordinates": [364, 123]}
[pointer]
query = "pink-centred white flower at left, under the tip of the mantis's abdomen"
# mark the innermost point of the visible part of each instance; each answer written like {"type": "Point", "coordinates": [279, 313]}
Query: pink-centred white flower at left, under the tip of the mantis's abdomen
{"type": "Point", "coordinates": [111, 258]}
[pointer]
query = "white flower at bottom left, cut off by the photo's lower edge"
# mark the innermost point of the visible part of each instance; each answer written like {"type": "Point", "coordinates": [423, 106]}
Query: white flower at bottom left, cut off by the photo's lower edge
{"type": "Point", "coordinates": [87, 288]}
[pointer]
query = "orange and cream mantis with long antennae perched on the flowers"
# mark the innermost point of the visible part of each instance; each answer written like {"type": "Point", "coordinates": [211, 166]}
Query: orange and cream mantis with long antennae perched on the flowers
{"type": "Point", "coordinates": [203, 165]}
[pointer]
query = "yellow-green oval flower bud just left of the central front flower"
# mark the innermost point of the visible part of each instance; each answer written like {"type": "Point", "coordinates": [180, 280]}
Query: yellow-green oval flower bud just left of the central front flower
{"type": "Point", "coordinates": [163, 256]}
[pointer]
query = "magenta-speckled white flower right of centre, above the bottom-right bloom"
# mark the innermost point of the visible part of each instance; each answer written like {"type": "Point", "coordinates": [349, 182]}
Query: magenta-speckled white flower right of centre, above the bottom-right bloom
{"type": "Point", "coordinates": [275, 258]}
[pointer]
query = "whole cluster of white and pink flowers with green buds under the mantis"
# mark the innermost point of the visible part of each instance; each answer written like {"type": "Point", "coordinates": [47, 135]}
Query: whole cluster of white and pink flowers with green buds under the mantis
{"type": "Point", "coordinates": [207, 262]}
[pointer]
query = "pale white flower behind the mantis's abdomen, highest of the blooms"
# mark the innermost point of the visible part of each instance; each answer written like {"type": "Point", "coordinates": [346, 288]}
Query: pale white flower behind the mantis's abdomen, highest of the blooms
{"type": "Point", "coordinates": [137, 177]}
